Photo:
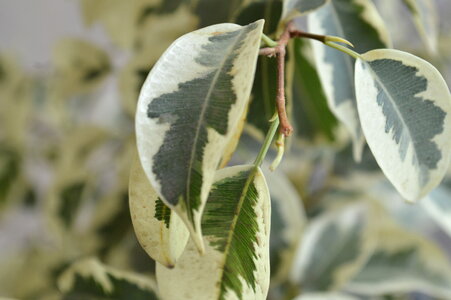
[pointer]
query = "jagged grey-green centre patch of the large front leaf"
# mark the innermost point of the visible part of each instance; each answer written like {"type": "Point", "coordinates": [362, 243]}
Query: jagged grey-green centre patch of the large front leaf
{"type": "Point", "coordinates": [198, 104]}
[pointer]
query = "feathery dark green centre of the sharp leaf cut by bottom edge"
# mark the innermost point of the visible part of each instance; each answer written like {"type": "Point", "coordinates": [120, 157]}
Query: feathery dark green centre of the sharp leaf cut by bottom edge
{"type": "Point", "coordinates": [230, 197]}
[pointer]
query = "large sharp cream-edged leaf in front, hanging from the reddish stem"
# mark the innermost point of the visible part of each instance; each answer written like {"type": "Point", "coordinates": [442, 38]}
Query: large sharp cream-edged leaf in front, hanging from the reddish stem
{"type": "Point", "coordinates": [189, 107]}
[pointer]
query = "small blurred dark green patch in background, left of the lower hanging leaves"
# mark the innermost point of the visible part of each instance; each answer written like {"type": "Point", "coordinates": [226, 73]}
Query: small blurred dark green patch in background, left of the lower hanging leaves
{"type": "Point", "coordinates": [70, 200]}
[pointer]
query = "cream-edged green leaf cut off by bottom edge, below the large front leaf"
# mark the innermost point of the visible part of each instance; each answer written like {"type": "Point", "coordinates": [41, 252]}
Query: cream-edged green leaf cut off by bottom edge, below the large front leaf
{"type": "Point", "coordinates": [236, 225]}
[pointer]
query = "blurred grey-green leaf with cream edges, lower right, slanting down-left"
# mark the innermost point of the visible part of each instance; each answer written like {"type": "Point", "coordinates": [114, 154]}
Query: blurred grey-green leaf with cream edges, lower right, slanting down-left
{"type": "Point", "coordinates": [333, 249]}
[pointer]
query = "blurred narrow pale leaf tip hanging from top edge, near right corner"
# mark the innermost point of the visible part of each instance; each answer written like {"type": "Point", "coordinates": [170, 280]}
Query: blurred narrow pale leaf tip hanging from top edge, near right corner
{"type": "Point", "coordinates": [425, 18]}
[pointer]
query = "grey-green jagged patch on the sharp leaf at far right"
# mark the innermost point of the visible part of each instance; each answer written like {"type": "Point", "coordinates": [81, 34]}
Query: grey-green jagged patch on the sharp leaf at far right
{"type": "Point", "coordinates": [411, 119]}
